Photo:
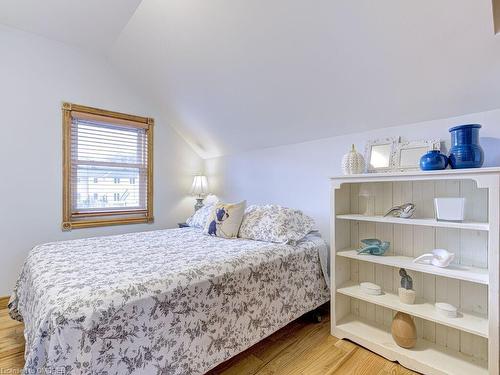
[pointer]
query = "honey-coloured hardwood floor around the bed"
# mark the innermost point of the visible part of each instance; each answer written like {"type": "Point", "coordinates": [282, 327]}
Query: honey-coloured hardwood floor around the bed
{"type": "Point", "coordinates": [302, 347]}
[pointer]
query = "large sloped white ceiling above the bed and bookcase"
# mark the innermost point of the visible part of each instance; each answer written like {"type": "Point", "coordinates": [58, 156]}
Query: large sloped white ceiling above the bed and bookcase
{"type": "Point", "coordinates": [236, 75]}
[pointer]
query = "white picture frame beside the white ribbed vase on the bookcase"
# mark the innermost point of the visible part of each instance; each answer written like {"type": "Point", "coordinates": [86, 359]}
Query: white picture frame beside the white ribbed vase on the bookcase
{"type": "Point", "coordinates": [379, 154]}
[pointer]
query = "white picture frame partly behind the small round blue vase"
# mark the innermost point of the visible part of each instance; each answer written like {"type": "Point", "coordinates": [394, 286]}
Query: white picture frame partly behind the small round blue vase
{"type": "Point", "coordinates": [407, 155]}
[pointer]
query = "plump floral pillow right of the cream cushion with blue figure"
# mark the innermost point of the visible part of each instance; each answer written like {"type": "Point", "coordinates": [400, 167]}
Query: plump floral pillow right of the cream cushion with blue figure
{"type": "Point", "coordinates": [273, 223]}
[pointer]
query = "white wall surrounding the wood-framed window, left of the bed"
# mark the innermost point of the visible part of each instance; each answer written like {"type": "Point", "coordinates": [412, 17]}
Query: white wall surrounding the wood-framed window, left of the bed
{"type": "Point", "coordinates": [36, 75]}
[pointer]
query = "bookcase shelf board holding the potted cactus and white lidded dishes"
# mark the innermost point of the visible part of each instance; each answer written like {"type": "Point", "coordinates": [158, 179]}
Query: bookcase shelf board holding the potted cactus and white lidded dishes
{"type": "Point", "coordinates": [468, 322]}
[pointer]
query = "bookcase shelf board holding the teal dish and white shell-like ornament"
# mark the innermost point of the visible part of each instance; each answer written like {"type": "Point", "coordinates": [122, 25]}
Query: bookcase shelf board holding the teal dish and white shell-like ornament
{"type": "Point", "coordinates": [454, 271]}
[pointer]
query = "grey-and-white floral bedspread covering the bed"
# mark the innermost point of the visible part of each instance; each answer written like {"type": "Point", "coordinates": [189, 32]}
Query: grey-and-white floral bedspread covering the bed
{"type": "Point", "coordinates": [162, 302]}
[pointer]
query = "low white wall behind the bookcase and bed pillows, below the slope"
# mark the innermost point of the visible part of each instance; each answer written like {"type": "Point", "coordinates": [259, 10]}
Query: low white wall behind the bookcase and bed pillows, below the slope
{"type": "Point", "coordinates": [298, 175]}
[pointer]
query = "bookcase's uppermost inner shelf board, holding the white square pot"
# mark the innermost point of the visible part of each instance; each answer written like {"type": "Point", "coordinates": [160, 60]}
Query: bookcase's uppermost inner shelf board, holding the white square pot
{"type": "Point", "coordinates": [421, 222]}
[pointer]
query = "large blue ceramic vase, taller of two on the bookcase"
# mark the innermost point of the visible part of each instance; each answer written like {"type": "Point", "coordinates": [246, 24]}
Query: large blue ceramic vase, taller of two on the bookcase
{"type": "Point", "coordinates": [465, 150]}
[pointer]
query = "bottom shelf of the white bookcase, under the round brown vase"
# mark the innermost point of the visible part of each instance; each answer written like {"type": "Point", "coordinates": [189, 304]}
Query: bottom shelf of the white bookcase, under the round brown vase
{"type": "Point", "coordinates": [425, 357]}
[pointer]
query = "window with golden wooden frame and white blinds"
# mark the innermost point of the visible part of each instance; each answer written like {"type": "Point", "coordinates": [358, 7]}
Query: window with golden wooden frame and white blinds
{"type": "Point", "coordinates": [106, 154]}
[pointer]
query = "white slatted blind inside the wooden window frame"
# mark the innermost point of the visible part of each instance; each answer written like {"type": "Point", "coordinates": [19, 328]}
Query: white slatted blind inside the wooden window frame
{"type": "Point", "coordinates": [109, 167]}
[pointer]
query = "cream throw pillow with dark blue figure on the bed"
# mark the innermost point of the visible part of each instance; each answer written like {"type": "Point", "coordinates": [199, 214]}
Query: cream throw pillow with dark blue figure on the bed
{"type": "Point", "coordinates": [225, 219]}
